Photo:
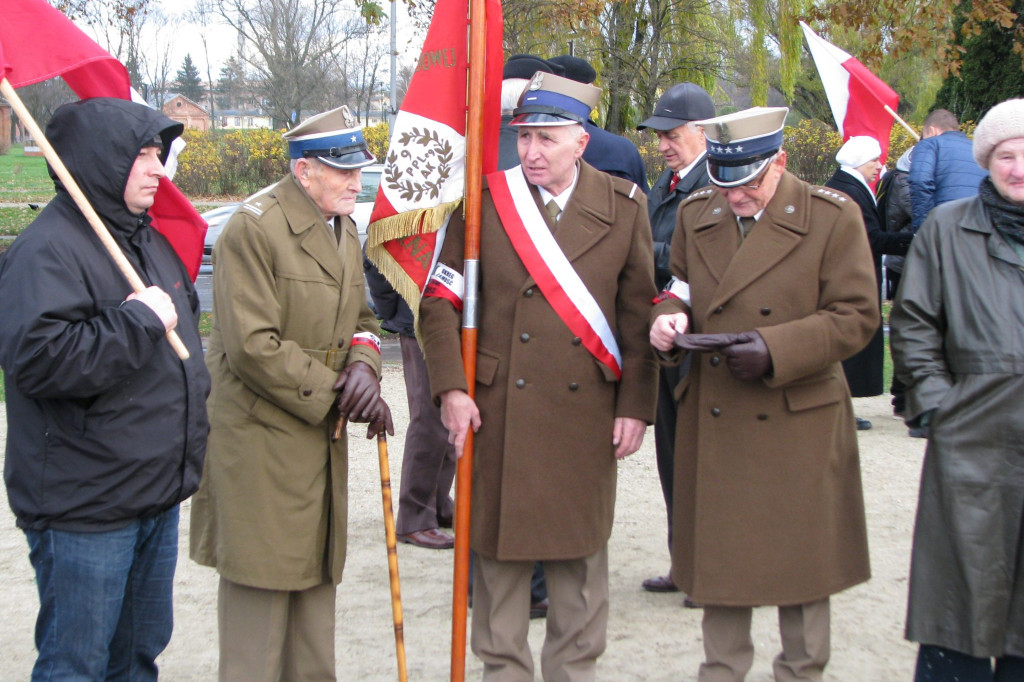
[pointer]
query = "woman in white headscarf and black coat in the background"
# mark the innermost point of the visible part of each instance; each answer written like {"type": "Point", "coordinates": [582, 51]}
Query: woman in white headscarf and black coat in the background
{"type": "Point", "coordinates": [860, 166]}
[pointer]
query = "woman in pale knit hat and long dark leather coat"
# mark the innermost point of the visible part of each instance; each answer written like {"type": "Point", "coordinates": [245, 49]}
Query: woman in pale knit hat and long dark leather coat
{"type": "Point", "coordinates": [958, 329]}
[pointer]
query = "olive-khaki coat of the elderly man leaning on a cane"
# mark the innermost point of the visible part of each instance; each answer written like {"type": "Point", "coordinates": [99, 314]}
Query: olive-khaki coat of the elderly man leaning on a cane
{"type": "Point", "coordinates": [273, 505]}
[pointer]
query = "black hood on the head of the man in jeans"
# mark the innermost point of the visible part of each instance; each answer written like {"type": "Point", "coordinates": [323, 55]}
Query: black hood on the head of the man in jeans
{"type": "Point", "coordinates": [99, 141]}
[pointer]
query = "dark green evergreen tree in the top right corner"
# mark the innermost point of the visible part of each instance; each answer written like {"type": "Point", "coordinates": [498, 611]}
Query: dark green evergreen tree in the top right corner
{"type": "Point", "coordinates": [991, 72]}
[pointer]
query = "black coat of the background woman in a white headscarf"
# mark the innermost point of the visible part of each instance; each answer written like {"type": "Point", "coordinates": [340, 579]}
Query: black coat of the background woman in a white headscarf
{"type": "Point", "coordinates": [865, 370]}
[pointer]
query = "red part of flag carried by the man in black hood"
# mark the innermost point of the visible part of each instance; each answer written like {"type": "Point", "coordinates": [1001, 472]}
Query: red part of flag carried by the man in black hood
{"type": "Point", "coordinates": [38, 42]}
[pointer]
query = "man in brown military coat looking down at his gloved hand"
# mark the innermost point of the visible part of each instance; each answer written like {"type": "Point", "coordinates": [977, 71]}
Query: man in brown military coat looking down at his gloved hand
{"type": "Point", "coordinates": [773, 287]}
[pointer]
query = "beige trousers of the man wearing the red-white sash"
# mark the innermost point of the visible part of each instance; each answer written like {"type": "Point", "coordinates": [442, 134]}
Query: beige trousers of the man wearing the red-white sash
{"type": "Point", "coordinates": [577, 623]}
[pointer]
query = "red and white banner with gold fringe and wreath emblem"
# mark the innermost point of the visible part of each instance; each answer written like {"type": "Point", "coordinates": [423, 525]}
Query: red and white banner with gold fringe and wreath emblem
{"type": "Point", "coordinates": [423, 181]}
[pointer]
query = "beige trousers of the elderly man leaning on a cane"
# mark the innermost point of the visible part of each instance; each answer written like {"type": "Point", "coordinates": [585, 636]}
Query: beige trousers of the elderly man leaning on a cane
{"type": "Point", "coordinates": [276, 636]}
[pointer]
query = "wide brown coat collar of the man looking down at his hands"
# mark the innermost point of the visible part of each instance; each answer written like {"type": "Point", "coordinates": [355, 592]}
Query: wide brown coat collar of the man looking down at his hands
{"type": "Point", "coordinates": [781, 229]}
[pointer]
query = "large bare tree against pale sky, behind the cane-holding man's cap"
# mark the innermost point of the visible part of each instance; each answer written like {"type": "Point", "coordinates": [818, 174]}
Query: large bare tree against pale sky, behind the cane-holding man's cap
{"type": "Point", "coordinates": [293, 46]}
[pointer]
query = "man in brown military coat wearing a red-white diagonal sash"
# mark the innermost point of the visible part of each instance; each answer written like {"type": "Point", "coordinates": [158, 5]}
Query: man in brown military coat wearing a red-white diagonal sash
{"type": "Point", "coordinates": [566, 381]}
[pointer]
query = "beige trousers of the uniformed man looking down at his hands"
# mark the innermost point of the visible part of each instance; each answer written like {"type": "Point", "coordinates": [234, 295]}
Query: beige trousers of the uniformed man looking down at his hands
{"type": "Point", "coordinates": [805, 631]}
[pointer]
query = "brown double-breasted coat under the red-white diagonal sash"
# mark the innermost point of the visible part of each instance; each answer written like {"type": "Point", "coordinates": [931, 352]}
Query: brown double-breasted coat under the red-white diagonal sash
{"type": "Point", "coordinates": [544, 467]}
